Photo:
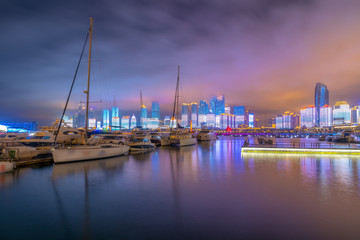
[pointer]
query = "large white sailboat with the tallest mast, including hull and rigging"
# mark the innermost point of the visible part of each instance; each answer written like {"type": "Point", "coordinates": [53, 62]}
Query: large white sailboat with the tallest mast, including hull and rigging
{"type": "Point", "coordinates": [87, 151]}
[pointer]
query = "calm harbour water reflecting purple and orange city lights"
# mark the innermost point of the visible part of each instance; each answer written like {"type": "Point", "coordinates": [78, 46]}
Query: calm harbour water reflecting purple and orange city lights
{"type": "Point", "coordinates": [208, 191]}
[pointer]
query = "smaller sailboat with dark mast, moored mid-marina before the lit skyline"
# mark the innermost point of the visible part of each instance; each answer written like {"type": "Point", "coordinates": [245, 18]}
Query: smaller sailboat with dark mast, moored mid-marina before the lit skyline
{"type": "Point", "coordinates": [179, 137]}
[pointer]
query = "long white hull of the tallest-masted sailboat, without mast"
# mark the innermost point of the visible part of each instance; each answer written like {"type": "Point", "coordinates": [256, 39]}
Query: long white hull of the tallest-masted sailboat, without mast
{"type": "Point", "coordinates": [85, 153]}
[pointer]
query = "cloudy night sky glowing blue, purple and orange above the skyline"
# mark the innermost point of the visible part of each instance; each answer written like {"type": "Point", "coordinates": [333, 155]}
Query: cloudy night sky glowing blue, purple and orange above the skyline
{"type": "Point", "coordinates": [264, 54]}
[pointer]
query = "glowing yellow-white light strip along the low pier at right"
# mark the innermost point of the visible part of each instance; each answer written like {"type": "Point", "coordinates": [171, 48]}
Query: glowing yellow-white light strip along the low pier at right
{"type": "Point", "coordinates": [301, 151]}
